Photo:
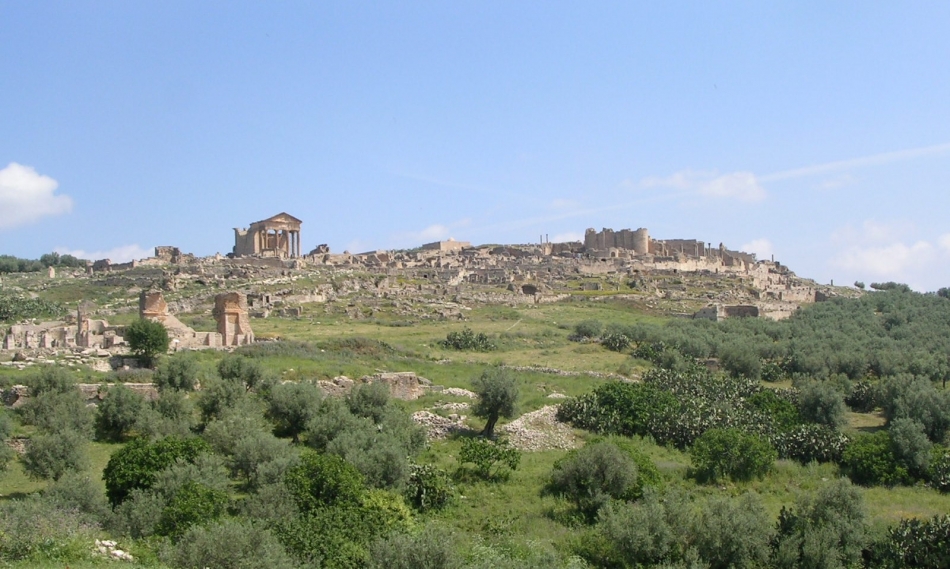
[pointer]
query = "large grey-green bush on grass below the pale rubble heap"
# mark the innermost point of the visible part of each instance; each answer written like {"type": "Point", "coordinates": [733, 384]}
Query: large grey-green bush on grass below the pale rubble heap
{"type": "Point", "coordinates": [591, 476]}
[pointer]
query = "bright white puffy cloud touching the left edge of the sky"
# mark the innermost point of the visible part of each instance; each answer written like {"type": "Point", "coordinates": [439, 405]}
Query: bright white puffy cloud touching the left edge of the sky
{"type": "Point", "coordinates": [26, 196]}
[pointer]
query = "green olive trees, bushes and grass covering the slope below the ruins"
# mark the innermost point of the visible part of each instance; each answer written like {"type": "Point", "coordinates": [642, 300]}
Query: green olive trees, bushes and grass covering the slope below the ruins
{"type": "Point", "coordinates": [732, 450]}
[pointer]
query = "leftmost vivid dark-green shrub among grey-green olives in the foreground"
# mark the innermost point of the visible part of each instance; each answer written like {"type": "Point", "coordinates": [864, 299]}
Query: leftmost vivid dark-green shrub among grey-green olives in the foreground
{"type": "Point", "coordinates": [137, 463]}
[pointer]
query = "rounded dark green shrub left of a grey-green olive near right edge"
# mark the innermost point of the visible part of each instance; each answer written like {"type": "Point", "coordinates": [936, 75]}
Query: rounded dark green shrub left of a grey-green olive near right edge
{"type": "Point", "coordinates": [869, 460]}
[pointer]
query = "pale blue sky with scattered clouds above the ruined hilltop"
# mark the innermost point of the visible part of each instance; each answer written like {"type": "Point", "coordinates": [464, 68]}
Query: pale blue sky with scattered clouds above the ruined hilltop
{"type": "Point", "coordinates": [815, 131]}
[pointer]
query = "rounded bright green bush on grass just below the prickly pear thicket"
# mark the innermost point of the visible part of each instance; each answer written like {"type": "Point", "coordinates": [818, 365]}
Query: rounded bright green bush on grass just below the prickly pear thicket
{"type": "Point", "coordinates": [730, 453]}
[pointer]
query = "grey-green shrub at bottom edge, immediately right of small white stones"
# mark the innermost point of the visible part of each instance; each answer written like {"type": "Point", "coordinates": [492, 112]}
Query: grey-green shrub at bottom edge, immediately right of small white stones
{"type": "Point", "coordinates": [229, 544]}
